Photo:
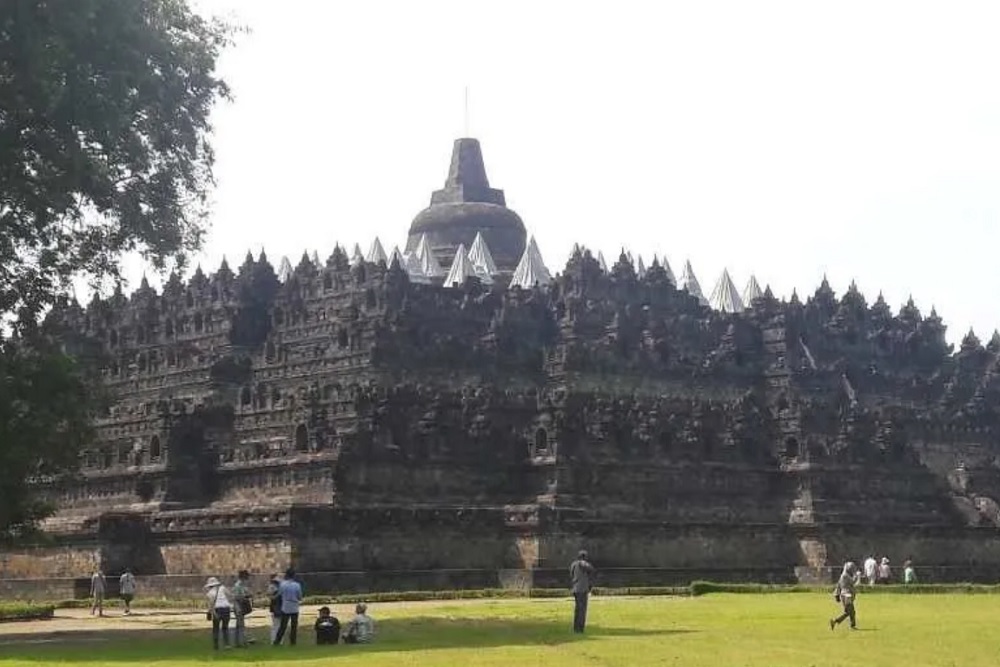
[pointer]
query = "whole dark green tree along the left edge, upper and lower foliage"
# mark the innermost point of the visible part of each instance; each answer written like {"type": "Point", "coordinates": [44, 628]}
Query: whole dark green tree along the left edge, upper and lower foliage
{"type": "Point", "coordinates": [104, 150]}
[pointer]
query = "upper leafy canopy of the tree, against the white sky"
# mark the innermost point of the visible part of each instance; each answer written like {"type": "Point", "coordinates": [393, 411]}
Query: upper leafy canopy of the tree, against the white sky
{"type": "Point", "coordinates": [104, 138]}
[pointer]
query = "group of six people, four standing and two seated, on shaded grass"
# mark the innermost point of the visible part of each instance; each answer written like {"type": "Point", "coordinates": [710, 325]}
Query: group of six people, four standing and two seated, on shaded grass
{"type": "Point", "coordinates": [284, 602]}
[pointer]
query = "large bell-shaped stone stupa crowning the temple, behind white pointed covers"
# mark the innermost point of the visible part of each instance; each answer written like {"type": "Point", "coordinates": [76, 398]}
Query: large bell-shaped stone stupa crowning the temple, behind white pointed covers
{"type": "Point", "coordinates": [467, 205]}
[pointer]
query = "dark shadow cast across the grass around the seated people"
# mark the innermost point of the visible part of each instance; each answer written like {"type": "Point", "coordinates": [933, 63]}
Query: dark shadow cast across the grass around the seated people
{"type": "Point", "coordinates": [409, 634]}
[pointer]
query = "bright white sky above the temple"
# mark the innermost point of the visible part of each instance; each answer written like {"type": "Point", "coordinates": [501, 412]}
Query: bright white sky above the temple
{"type": "Point", "coordinates": [788, 139]}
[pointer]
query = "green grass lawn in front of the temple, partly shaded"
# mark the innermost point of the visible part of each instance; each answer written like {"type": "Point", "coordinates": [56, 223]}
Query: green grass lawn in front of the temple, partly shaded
{"type": "Point", "coordinates": [766, 630]}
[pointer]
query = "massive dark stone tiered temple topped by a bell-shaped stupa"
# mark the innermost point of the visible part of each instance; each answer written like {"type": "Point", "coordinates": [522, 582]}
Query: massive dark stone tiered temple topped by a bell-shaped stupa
{"type": "Point", "coordinates": [455, 415]}
